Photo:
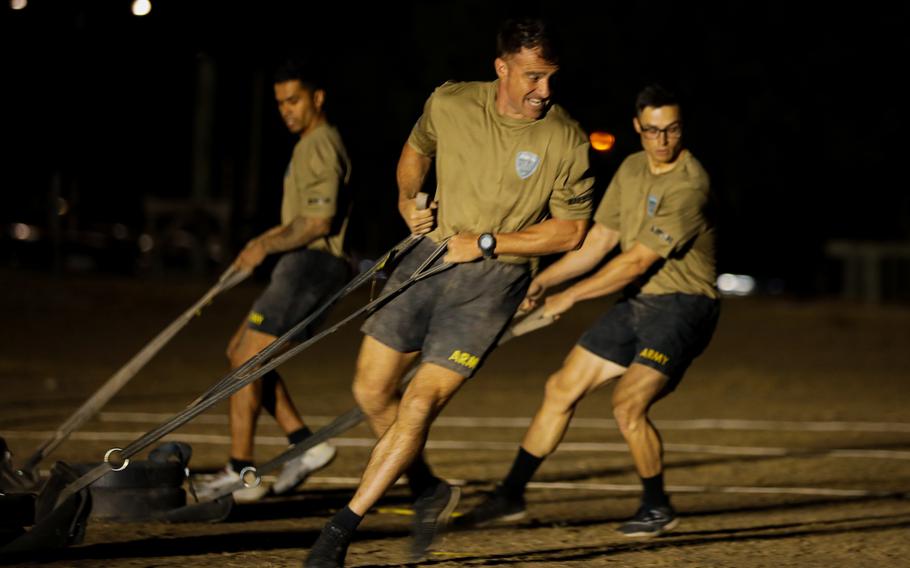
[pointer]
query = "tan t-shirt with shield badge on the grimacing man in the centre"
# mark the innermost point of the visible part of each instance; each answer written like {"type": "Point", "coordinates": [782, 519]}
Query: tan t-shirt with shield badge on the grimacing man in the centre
{"type": "Point", "coordinates": [499, 174]}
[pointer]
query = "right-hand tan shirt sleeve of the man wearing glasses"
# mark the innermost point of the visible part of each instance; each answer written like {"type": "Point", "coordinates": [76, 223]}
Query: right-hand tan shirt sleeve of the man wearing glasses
{"type": "Point", "coordinates": [679, 217]}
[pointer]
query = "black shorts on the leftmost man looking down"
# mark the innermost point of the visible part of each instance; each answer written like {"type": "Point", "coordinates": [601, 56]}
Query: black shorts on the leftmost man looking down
{"type": "Point", "coordinates": [302, 280]}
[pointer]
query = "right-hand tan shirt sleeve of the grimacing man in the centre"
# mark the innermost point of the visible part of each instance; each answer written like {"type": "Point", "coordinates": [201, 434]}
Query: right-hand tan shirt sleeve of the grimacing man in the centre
{"type": "Point", "coordinates": [573, 190]}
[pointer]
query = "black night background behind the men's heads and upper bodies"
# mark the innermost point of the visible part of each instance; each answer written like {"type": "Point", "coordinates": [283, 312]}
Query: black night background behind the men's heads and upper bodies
{"type": "Point", "coordinates": [797, 111]}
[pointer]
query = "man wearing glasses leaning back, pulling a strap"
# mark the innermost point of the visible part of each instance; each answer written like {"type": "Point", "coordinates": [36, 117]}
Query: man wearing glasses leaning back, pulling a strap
{"type": "Point", "coordinates": [656, 209]}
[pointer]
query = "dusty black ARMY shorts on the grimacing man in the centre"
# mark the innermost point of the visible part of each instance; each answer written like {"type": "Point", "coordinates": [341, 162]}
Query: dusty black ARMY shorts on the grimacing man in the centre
{"type": "Point", "coordinates": [455, 317]}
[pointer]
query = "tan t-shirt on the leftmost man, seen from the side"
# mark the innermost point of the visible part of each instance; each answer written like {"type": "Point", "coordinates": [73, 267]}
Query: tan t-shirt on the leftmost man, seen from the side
{"type": "Point", "coordinates": [314, 185]}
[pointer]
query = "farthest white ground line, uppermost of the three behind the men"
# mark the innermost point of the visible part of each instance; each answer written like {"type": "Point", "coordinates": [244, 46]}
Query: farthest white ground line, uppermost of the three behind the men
{"type": "Point", "coordinates": [595, 423]}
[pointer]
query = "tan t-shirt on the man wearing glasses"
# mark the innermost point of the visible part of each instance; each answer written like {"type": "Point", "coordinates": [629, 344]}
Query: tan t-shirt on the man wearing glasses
{"type": "Point", "coordinates": [668, 213]}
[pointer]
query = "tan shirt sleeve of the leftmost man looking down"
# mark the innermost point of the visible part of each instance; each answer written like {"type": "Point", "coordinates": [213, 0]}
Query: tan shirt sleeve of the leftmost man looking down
{"type": "Point", "coordinates": [318, 175]}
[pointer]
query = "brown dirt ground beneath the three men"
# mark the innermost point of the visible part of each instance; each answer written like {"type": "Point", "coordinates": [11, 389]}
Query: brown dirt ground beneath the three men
{"type": "Point", "coordinates": [788, 443]}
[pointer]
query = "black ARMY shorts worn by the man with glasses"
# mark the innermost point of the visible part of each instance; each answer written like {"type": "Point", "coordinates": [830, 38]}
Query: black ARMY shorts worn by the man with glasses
{"type": "Point", "coordinates": [663, 331]}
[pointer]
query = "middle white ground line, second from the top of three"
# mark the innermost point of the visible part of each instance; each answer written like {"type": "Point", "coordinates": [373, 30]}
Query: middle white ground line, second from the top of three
{"type": "Point", "coordinates": [281, 441]}
